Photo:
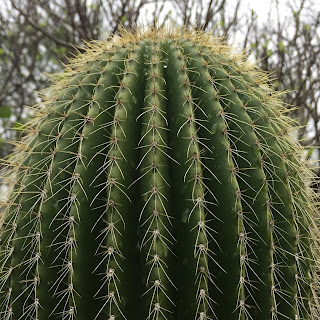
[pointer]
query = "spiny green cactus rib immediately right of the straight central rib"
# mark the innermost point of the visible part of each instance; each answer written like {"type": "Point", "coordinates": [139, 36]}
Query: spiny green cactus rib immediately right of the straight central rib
{"type": "Point", "coordinates": [190, 206]}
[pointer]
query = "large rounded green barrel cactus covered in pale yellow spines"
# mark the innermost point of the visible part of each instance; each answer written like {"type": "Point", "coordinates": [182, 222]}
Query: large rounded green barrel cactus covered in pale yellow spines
{"type": "Point", "coordinates": [157, 181]}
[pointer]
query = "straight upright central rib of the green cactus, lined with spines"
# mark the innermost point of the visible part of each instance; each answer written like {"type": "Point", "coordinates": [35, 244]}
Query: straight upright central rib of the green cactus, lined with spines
{"type": "Point", "coordinates": [155, 225]}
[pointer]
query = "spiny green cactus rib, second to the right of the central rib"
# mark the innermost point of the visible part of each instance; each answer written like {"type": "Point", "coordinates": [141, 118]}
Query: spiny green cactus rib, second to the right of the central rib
{"type": "Point", "coordinates": [227, 268]}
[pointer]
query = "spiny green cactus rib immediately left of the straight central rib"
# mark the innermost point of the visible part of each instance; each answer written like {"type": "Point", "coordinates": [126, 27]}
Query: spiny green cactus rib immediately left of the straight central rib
{"type": "Point", "coordinates": [118, 252]}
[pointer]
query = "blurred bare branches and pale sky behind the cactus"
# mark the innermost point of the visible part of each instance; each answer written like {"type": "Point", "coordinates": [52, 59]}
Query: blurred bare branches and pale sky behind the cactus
{"type": "Point", "coordinates": [37, 37]}
